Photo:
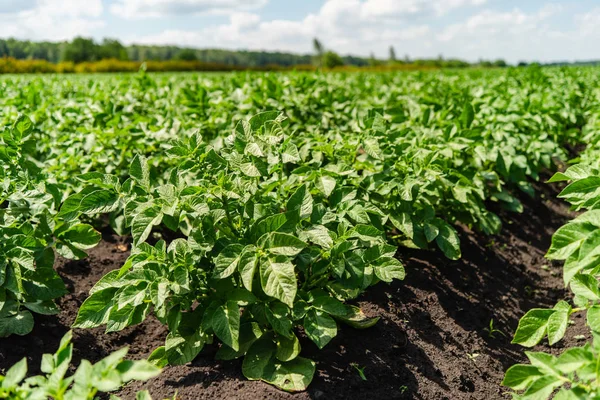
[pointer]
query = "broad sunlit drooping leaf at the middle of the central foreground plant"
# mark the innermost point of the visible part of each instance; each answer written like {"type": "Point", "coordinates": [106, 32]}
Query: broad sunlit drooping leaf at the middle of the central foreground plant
{"type": "Point", "coordinates": [278, 279]}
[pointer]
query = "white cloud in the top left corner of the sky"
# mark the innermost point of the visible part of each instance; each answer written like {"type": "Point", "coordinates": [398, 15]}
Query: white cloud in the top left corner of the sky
{"type": "Point", "coordinates": [49, 19]}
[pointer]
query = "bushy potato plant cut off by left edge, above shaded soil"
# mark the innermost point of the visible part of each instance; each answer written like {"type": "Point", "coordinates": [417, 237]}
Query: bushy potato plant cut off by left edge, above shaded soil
{"type": "Point", "coordinates": [31, 232]}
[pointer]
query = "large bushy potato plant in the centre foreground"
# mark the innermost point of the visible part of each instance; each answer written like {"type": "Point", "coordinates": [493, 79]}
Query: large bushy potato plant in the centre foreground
{"type": "Point", "coordinates": [265, 247]}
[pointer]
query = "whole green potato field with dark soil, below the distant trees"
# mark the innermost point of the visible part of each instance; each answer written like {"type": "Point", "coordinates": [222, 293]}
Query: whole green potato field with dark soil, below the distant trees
{"type": "Point", "coordinates": [301, 235]}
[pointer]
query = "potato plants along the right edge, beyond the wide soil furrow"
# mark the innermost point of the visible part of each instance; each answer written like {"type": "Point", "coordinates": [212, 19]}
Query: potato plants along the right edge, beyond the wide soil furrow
{"type": "Point", "coordinates": [574, 373]}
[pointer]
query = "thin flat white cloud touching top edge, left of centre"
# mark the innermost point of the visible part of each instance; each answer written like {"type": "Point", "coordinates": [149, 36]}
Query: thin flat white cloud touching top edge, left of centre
{"type": "Point", "coordinates": [132, 9]}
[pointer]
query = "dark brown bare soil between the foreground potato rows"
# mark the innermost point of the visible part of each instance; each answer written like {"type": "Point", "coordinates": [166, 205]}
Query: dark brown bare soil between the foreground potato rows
{"type": "Point", "coordinates": [431, 342]}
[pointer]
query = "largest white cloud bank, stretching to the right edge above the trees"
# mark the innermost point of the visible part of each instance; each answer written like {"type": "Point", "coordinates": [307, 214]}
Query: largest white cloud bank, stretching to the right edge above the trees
{"type": "Point", "coordinates": [413, 27]}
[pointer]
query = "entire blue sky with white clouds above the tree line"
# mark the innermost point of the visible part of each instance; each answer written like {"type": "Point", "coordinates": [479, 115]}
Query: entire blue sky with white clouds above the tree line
{"type": "Point", "coordinates": [543, 30]}
